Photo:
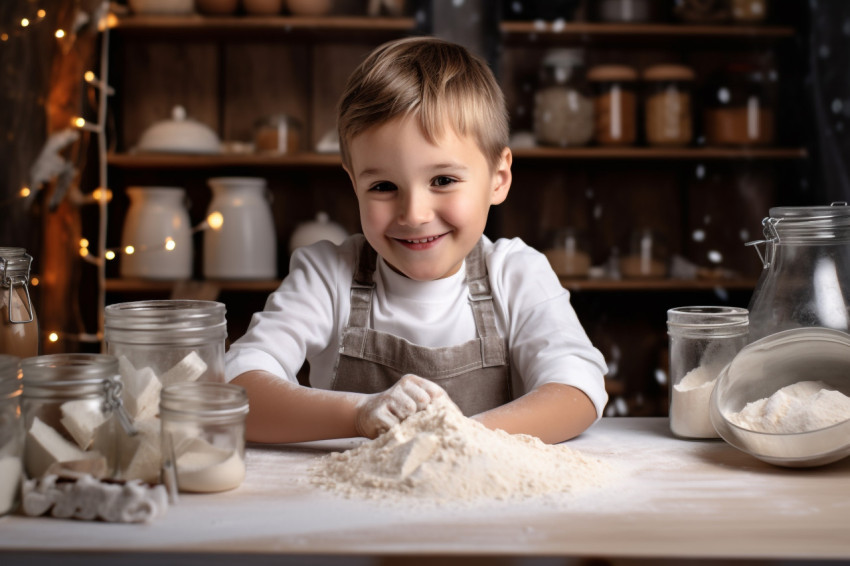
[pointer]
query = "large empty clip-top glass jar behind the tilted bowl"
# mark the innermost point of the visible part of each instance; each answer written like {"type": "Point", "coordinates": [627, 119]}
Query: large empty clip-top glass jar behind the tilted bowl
{"type": "Point", "coordinates": [806, 269]}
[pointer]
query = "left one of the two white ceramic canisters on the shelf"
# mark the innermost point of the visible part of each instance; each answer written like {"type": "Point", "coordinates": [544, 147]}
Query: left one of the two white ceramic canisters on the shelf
{"type": "Point", "coordinates": [157, 227]}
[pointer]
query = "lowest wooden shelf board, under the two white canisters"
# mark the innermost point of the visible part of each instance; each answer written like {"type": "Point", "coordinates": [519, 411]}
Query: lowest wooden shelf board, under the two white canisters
{"type": "Point", "coordinates": [267, 286]}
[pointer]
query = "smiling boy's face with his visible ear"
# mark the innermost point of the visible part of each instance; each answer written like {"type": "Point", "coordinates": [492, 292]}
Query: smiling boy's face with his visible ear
{"type": "Point", "coordinates": [423, 206]}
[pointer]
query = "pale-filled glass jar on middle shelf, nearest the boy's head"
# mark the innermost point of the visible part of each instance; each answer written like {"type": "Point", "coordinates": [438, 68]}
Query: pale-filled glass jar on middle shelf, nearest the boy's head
{"type": "Point", "coordinates": [563, 107]}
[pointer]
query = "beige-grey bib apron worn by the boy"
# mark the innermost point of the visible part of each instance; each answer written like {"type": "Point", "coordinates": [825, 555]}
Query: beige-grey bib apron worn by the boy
{"type": "Point", "coordinates": [476, 374]}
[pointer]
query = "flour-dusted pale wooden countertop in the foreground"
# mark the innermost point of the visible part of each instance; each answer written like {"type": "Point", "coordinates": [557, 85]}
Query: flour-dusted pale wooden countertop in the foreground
{"type": "Point", "coordinates": [675, 498]}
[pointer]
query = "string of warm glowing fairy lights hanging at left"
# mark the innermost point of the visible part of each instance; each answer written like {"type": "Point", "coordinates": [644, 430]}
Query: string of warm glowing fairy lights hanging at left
{"type": "Point", "coordinates": [98, 254]}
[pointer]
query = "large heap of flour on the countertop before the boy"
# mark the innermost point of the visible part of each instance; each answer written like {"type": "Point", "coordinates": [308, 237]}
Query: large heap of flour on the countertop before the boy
{"type": "Point", "coordinates": [440, 455]}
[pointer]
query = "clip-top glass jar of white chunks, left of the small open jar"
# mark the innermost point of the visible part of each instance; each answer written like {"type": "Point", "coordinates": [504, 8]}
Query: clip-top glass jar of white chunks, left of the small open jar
{"type": "Point", "coordinates": [69, 406]}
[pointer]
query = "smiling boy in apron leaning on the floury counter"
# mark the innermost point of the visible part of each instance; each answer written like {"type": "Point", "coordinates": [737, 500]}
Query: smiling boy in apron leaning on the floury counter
{"type": "Point", "coordinates": [422, 304]}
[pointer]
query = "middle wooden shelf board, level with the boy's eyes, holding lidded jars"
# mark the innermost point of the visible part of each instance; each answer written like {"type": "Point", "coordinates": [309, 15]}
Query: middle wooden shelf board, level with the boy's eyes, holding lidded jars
{"type": "Point", "coordinates": [311, 159]}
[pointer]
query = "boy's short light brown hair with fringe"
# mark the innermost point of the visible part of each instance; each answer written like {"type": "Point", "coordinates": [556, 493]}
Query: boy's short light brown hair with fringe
{"type": "Point", "coordinates": [435, 81]}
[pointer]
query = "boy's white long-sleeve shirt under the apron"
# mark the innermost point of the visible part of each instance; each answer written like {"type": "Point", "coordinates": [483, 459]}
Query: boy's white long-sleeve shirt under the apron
{"type": "Point", "coordinates": [304, 318]}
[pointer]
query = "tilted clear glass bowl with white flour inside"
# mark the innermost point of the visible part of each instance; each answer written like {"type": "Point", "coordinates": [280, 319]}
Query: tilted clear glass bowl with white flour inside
{"type": "Point", "coordinates": [785, 398]}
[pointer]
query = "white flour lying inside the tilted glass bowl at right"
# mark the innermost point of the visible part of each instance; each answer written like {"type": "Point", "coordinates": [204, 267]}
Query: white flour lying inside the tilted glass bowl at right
{"type": "Point", "coordinates": [800, 407]}
